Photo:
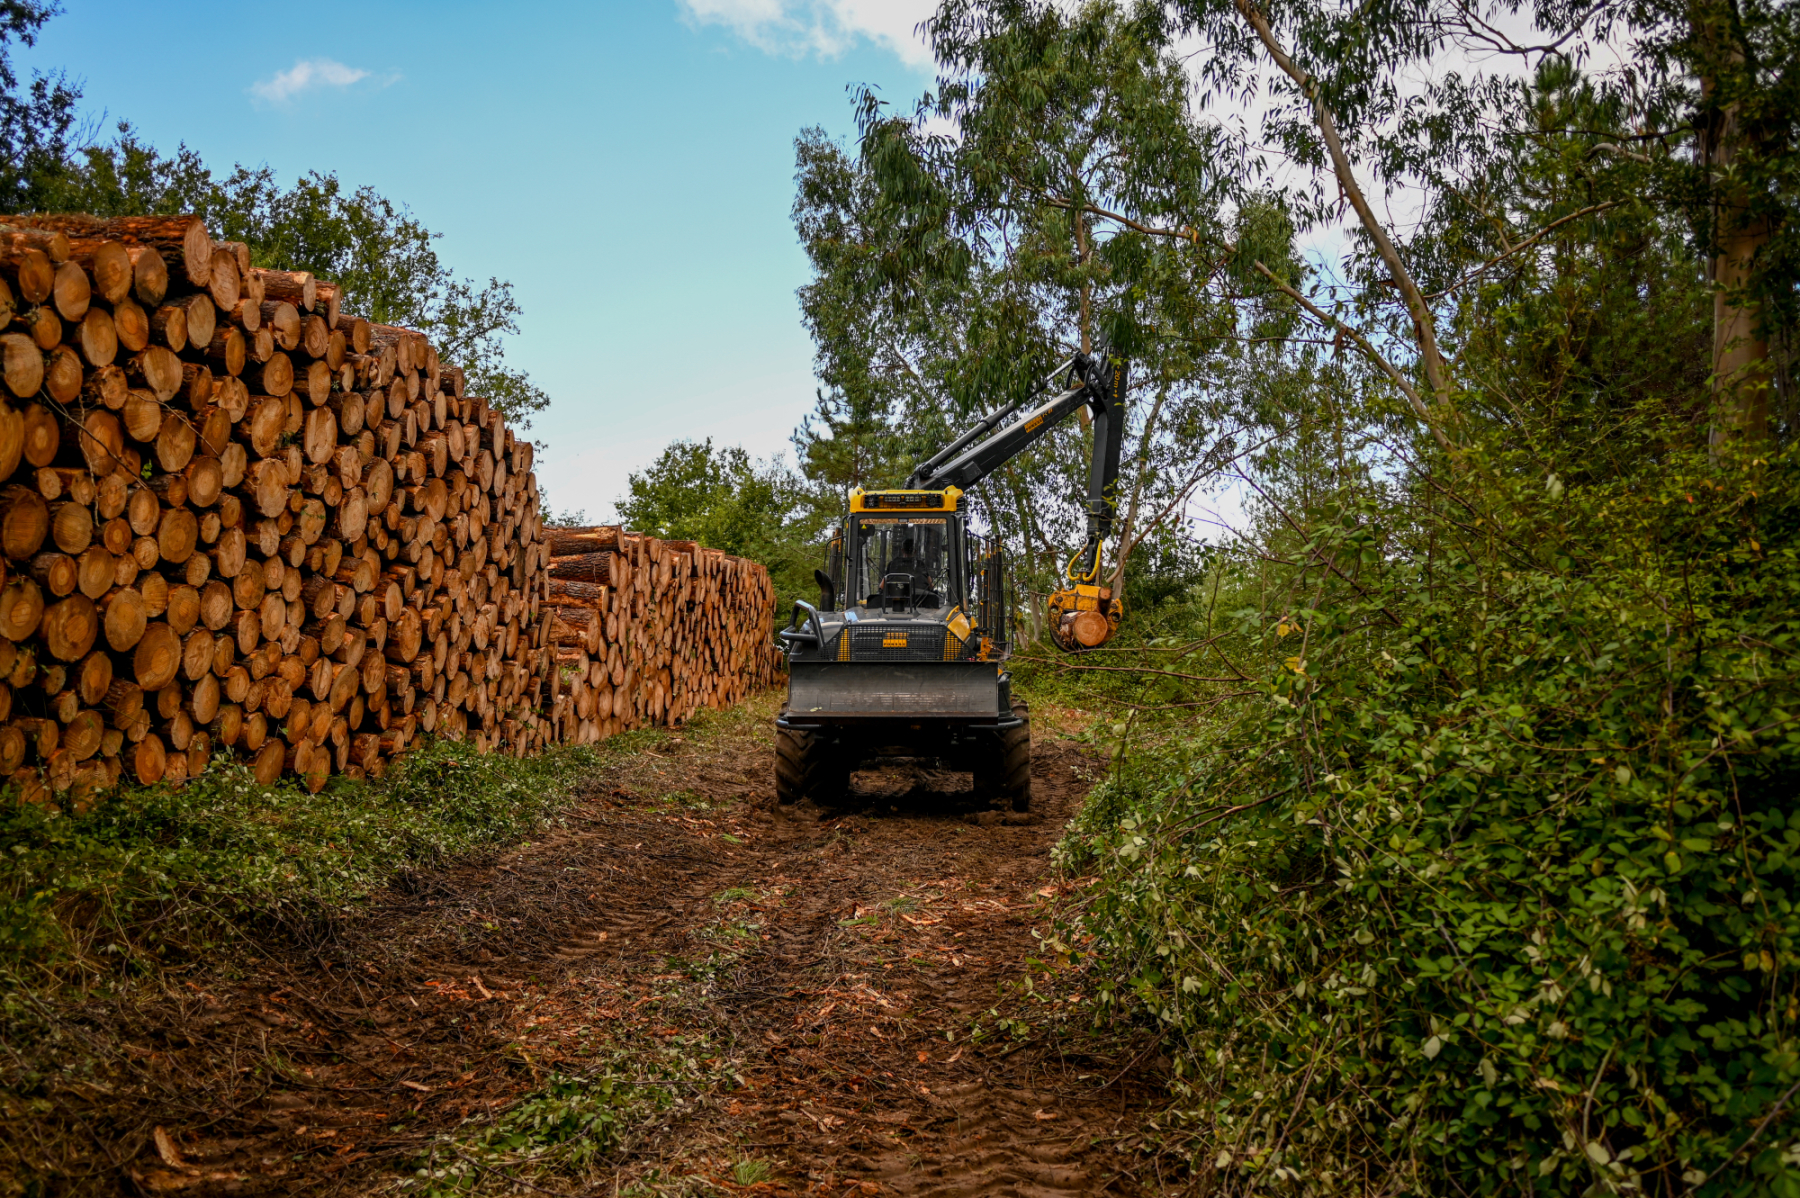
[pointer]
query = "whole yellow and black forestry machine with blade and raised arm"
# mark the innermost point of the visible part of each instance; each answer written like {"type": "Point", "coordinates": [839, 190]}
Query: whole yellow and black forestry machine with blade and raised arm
{"type": "Point", "coordinates": [906, 654]}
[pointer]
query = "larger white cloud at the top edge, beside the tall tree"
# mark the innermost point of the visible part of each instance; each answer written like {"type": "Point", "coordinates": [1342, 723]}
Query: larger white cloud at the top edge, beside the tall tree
{"type": "Point", "coordinates": [823, 28]}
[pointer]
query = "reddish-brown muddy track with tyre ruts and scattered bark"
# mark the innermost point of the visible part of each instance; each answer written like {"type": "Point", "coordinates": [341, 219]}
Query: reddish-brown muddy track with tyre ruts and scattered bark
{"type": "Point", "coordinates": [679, 992]}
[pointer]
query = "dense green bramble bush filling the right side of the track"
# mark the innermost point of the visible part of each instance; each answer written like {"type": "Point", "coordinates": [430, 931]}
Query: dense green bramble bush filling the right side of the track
{"type": "Point", "coordinates": [1491, 886]}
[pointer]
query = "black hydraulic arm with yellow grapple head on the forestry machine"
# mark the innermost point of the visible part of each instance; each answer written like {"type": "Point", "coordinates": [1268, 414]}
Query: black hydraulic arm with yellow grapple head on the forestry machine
{"type": "Point", "coordinates": [1083, 612]}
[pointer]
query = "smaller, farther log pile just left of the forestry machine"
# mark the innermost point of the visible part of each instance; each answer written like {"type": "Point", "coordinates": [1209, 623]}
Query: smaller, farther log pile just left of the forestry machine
{"type": "Point", "coordinates": [649, 632]}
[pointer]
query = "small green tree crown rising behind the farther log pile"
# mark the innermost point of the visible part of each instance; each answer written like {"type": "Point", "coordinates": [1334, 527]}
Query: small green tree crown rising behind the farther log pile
{"type": "Point", "coordinates": [726, 501]}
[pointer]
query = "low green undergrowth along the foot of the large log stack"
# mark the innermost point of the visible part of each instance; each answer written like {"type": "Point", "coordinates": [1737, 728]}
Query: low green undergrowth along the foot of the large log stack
{"type": "Point", "coordinates": [165, 872]}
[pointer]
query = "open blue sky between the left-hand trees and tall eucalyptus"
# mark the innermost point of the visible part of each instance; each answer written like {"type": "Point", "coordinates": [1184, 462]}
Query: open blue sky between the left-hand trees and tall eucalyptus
{"type": "Point", "coordinates": [627, 166]}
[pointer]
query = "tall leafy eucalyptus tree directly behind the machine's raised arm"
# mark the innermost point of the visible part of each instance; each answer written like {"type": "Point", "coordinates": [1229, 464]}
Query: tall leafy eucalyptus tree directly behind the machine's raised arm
{"type": "Point", "coordinates": [1007, 222]}
